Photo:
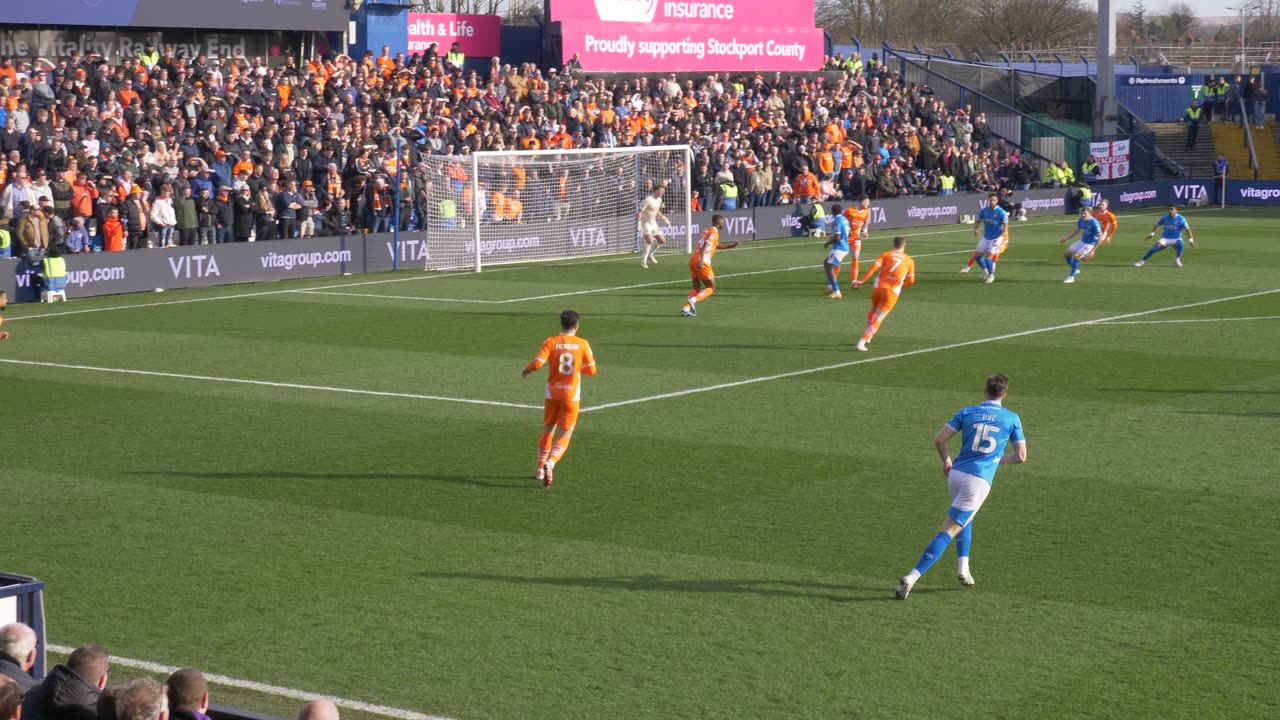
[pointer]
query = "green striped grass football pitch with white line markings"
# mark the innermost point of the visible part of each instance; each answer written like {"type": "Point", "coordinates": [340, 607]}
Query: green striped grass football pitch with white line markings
{"type": "Point", "coordinates": [730, 553]}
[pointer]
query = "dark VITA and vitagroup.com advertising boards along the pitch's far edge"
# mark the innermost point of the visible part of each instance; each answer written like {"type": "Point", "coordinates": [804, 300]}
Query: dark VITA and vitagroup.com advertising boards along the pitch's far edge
{"type": "Point", "coordinates": [141, 271]}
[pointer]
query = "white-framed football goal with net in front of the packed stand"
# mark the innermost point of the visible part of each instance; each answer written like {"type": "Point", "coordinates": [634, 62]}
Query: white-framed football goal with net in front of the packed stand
{"type": "Point", "coordinates": [520, 207]}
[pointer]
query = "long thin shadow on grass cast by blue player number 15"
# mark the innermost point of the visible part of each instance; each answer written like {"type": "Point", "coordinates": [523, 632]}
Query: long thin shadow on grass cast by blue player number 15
{"type": "Point", "coordinates": [765, 587]}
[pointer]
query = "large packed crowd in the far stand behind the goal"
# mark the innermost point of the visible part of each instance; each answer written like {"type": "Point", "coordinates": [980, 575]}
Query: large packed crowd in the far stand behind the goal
{"type": "Point", "coordinates": [162, 151]}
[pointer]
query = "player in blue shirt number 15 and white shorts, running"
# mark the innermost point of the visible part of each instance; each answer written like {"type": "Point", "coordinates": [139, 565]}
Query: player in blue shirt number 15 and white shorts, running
{"type": "Point", "coordinates": [985, 430]}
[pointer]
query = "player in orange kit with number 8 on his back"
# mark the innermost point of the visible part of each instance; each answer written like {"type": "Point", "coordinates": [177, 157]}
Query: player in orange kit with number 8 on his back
{"type": "Point", "coordinates": [570, 359]}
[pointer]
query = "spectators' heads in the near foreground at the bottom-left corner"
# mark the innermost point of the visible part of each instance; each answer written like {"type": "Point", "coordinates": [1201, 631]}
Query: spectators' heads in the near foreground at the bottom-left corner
{"type": "Point", "coordinates": [80, 690]}
